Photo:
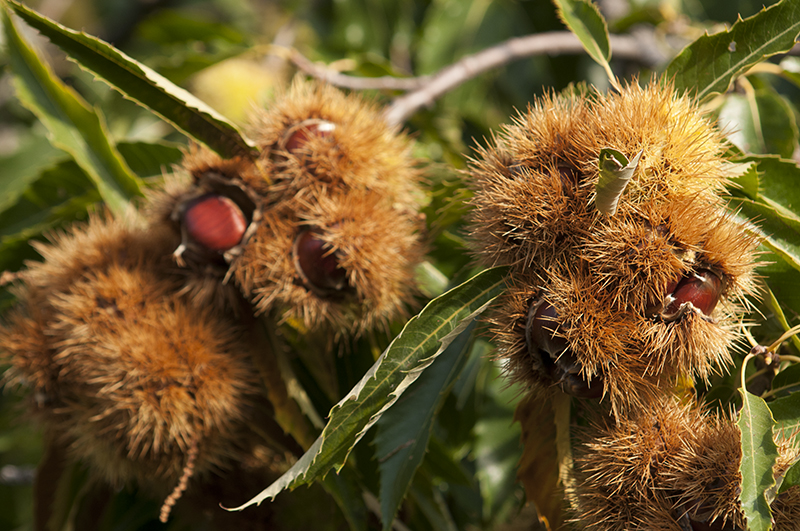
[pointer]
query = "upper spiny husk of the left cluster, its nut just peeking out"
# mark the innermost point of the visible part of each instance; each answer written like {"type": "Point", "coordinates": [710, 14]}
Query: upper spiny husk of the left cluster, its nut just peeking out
{"type": "Point", "coordinates": [345, 144]}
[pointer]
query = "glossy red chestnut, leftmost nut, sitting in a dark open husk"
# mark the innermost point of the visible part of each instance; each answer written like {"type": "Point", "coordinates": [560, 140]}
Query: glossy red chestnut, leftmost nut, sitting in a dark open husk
{"type": "Point", "coordinates": [215, 222]}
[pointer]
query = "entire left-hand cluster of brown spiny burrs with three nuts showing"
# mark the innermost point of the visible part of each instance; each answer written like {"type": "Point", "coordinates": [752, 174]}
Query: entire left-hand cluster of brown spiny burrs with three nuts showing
{"type": "Point", "coordinates": [136, 336]}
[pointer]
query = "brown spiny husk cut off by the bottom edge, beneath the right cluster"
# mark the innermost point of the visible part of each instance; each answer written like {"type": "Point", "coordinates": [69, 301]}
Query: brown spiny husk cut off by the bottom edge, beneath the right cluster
{"type": "Point", "coordinates": [665, 467]}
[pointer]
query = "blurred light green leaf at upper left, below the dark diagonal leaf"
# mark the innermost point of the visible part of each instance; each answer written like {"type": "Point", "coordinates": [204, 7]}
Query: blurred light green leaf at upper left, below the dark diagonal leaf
{"type": "Point", "coordinates": [72, 125]}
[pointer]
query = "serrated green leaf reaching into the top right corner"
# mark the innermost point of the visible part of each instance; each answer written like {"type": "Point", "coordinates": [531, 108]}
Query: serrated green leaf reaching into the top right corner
{"type": "Point", "coordinates": [710, 64]}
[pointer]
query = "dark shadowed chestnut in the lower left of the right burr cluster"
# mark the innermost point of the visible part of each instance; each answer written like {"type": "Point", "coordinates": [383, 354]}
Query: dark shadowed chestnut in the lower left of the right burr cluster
{"type": "Point", "coordinates": [555, 354]}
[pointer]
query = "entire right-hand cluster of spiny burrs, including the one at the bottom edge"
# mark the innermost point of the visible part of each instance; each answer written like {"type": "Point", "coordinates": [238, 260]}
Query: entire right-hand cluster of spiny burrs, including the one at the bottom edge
{"type": "Point", "coordinates": [628, 277]}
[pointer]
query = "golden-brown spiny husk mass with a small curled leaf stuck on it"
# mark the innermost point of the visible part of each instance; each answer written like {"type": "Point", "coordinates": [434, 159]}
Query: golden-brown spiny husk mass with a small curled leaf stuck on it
{"type": "Point", "coordinates": [614, 280]}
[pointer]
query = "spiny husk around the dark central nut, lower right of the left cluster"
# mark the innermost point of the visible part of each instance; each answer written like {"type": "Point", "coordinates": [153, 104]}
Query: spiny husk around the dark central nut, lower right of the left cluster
{"type": "Point", "coordinates": [365, 242]}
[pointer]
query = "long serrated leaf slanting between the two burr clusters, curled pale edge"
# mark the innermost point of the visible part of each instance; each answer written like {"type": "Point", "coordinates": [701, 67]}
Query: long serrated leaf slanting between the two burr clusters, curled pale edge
{"type": "Point", "coordinates": [424, 337]}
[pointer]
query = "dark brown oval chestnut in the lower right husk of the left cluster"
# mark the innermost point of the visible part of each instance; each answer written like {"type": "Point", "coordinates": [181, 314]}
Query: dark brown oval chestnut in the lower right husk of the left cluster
{"type": "Point", "coordinates": [317, 264]}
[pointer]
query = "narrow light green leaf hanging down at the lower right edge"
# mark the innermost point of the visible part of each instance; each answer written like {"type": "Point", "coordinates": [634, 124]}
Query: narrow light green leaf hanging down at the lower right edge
{"type": "Point", "coordinates": [759, 454]}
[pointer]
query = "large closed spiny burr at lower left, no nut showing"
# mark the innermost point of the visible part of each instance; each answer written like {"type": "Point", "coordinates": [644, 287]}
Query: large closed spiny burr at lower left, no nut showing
{"type": "Point", "coordinates": [123, 369]}
